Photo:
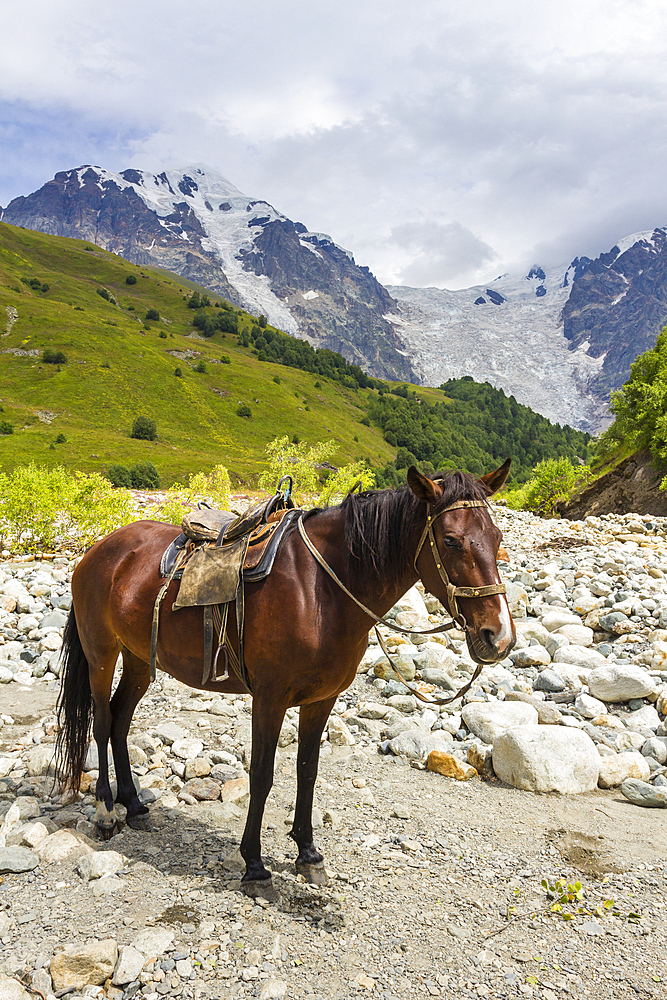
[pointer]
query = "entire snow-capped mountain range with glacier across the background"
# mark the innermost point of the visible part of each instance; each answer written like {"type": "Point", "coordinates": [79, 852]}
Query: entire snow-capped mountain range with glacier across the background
{"type": "Point", "coordinates": [558, 339]}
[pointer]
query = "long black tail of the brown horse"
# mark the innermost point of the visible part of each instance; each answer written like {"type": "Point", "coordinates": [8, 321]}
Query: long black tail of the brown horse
{"type": "Point", "coordinates": [74, 709]}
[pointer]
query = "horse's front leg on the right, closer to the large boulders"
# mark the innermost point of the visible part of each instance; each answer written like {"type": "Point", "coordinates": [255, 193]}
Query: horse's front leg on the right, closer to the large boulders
{"type": "Point", "coordinates": [312, 720]}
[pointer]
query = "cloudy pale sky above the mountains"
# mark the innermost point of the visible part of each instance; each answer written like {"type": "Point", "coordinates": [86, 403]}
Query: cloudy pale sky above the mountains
{"type": "Point", "coordinates": [442, 142]}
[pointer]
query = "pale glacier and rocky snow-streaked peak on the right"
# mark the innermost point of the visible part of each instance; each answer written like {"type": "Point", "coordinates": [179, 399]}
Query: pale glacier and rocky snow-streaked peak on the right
{"type": "Point", "coordinates": [558, 339]}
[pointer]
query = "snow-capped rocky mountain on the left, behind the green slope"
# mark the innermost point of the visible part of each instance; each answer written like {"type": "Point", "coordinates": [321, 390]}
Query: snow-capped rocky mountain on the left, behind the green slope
{"type": "Point", "coordinates": [196, 223]}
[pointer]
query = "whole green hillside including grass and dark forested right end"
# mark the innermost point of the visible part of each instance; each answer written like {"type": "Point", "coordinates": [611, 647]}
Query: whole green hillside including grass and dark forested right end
{"type": "Point", "coordinates": [134, 338]}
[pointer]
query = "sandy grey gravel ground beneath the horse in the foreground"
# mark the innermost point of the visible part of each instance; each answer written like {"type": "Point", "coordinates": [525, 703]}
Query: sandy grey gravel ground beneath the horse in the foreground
{"type": "Point", "coordinates": [445, 901]}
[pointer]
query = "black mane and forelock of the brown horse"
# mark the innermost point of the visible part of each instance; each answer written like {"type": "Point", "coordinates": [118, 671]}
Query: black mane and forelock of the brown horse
{"type": "Point", "coordinates": [380, 525]}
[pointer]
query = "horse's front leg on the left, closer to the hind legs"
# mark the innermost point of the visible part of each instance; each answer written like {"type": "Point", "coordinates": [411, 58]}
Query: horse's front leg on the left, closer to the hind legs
{"type": "Point", "coordinates": [267, 719]}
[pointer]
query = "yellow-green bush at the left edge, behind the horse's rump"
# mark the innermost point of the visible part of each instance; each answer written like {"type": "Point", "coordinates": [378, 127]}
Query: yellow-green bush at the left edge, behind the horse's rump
{"type": "Point", "coordinates": [41, 507]}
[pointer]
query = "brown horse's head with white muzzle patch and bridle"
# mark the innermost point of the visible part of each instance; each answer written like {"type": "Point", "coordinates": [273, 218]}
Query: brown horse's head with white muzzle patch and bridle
{"type": "Point", "coordinates": [456, 558]}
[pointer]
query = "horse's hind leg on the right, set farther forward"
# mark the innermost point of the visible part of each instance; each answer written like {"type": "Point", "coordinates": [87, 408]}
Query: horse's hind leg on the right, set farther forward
{"type": "Point", "coordinates": [131, 688]}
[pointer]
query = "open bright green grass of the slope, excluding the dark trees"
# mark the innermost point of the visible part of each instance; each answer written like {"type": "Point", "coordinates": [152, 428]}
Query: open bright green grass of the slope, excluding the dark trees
{"type": "Point", "coordinates": [94, 405]}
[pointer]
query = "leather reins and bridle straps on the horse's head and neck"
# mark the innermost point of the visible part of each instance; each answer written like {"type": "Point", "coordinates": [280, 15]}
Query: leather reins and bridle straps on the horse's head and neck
{"type": "Point", "coordinates": [452, 592]}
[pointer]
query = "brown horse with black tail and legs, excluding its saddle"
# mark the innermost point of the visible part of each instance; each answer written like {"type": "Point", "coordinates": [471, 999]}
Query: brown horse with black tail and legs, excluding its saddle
{"type": "Point", "coordinates": [304, 636]}
